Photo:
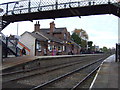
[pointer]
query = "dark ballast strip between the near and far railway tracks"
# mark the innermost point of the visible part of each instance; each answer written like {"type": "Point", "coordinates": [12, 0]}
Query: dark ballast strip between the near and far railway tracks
{"type": "Point", "coordinates": [33, 80]}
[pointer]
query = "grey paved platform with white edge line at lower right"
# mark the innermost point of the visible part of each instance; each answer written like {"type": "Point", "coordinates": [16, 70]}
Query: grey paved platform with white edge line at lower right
{"type": "Point", "coordinates": [107, 75]}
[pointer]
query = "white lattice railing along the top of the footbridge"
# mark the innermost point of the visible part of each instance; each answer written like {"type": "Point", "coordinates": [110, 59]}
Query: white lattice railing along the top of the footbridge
{"type": "Point", "coordinates": [29, 6]}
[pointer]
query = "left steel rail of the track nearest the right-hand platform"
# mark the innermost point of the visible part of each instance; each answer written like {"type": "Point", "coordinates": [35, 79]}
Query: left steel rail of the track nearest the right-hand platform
{"type": "Point", "coordinates": [62, 76]}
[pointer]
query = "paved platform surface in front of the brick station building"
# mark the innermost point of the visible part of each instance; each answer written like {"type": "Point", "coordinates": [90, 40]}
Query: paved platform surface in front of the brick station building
{"type": "Point", "coordinates": [13, 61]}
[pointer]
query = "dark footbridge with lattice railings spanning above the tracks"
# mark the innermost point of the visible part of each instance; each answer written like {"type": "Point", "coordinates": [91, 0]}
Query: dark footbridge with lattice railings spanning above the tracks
{"type": "Point", "coordinates": [28, 10]}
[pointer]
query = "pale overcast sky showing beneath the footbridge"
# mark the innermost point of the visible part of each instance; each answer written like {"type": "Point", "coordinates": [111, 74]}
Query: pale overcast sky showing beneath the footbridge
{"type": "Point", "coordinates": [102, 29]}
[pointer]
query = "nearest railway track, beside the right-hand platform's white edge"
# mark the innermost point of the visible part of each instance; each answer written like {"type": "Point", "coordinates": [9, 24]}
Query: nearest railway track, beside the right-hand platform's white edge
{"type": "Point", "coordinates": [63, 79]}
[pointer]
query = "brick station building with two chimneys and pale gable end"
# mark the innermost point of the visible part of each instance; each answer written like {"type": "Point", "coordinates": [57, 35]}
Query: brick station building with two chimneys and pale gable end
{"type": "Point", "coordinates": [49, 41]}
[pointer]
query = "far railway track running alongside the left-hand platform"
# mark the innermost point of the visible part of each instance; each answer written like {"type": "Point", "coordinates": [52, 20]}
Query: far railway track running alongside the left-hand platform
{"type": "Point", "coordinates": [27, 73]}
